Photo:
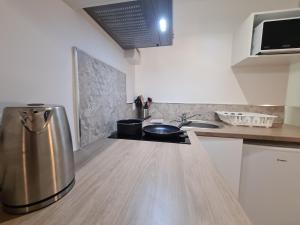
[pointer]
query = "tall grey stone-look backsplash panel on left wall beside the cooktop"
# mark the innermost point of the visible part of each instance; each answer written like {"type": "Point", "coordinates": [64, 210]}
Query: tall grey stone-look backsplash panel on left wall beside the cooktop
{"type": "Point", "coordinates": [102, 94]}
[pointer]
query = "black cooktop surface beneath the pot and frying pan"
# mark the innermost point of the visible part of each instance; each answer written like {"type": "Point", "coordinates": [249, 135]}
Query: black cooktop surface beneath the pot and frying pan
{"type": "Point", "coordinates": [181, 139]}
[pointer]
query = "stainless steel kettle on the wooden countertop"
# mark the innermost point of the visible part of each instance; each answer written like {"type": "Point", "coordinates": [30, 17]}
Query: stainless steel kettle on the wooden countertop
{"type": "Point", "coordinates": [37, 157]}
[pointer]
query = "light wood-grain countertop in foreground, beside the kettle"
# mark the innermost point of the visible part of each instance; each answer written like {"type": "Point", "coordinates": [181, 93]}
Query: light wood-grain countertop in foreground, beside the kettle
{"type": "Point", "coordinates": [143, 183]}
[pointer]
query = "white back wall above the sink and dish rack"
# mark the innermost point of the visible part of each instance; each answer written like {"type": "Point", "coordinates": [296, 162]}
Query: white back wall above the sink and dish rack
{"type": "Point", "coordinates": [196, 69]}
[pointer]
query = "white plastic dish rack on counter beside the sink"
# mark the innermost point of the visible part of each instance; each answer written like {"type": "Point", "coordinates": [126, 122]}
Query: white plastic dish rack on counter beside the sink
{"type": "Point", "coordinates": [247, 119]}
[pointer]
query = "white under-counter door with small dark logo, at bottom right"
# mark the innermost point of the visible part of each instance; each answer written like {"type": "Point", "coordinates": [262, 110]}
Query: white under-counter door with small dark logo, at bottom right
{"type": "Point", "coordinates": [270, 185]}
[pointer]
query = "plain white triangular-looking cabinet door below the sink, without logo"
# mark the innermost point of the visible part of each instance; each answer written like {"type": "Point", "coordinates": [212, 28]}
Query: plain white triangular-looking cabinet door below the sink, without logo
{"type": "Point", "coordinates": [226, 154]}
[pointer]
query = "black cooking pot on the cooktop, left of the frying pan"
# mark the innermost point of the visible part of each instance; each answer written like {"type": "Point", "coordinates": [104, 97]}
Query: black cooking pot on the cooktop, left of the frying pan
{"type": "Point", "coordinates": [130, 128]}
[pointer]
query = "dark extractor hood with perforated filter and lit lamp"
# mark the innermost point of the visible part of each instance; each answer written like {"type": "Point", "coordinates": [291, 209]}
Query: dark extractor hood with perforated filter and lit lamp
{"type": "Point", "coordinates": [136, 24]}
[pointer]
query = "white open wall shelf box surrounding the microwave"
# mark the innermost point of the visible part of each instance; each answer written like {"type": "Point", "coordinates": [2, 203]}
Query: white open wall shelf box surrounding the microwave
{"type": "Point", "coordinates": [242, 41]}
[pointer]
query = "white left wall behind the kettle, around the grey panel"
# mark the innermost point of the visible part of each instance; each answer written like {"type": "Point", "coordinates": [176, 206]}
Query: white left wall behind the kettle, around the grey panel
{"type": "Point", "coordinates": [36, 57]}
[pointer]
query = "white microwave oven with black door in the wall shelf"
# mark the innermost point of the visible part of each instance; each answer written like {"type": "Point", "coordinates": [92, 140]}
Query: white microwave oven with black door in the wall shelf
{"type": "Point", "coordinates": [280, 36]}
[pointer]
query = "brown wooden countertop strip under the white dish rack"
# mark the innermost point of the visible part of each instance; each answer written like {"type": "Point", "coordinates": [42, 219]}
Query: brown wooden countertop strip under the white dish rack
{"type": "Point", "coordinates": [286, 133]}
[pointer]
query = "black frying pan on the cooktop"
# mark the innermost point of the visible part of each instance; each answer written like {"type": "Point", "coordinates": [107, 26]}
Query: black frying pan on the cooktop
{"type": "Point", "coordinates": [162, 131]}
